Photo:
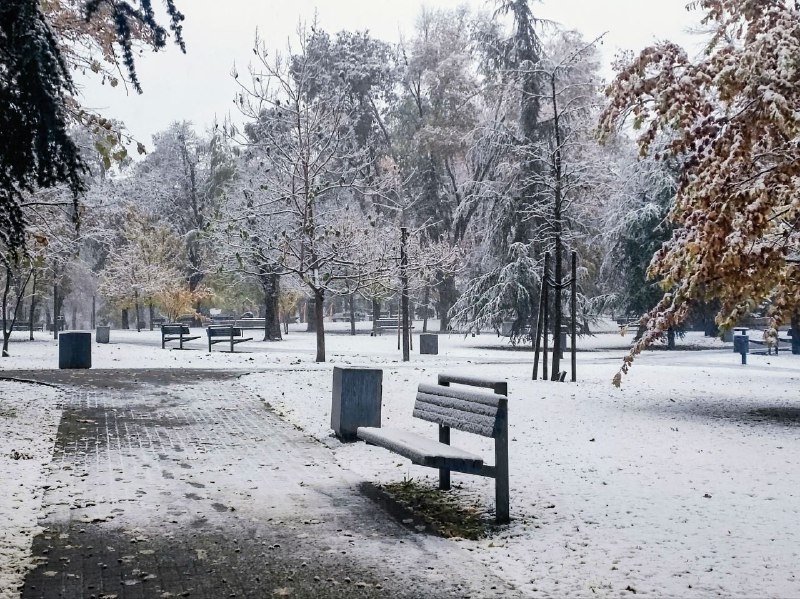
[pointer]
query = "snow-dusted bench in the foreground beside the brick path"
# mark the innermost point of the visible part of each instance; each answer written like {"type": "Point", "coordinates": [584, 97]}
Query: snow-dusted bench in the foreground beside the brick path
{"type": "Point", "coordinates": [466, 410]}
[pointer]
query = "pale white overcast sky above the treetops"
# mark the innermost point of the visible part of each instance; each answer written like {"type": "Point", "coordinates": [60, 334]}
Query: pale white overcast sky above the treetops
{"type": "Point", "coordinates": [197, 86]}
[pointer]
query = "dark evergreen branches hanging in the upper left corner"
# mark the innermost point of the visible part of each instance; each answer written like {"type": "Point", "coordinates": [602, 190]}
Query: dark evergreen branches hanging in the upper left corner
{"type": "Point", "coordinates": [37, 97]}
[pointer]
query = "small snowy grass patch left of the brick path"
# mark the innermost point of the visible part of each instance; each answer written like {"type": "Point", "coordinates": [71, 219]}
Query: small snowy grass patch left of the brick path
{"type": "Point", "coordinates": [29, 418]}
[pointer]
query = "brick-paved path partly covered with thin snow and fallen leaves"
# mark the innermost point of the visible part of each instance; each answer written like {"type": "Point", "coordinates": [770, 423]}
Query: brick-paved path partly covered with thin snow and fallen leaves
{"type": "Point", "coordinates": [162, 487]}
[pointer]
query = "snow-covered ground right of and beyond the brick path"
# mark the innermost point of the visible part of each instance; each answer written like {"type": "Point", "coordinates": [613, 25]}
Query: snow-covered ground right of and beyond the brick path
{"type": "Point", "coordinates": [682, 483]}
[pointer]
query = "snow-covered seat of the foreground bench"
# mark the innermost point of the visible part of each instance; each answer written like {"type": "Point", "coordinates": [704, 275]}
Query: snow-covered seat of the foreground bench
{"type": "Point", "coordinates": [420, 450]}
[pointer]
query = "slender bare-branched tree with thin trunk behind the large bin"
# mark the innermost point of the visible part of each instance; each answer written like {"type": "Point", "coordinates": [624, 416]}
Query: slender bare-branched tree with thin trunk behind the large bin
{"type": "Point", "coordinates": [311, 163]}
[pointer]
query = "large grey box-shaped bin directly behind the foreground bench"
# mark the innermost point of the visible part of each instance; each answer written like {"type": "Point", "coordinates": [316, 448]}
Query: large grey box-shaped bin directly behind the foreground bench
{"type": "Point", "coordinates": [357, 397]}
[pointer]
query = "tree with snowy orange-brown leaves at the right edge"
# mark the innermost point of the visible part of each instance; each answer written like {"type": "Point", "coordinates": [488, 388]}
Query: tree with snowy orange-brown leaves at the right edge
{"type": "Point", "coordinates": [732, 119]}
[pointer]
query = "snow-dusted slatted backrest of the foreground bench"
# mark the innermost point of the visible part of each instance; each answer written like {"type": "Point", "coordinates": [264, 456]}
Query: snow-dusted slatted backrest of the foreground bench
{"type": "Point", "coordinates": [477, 412]}
